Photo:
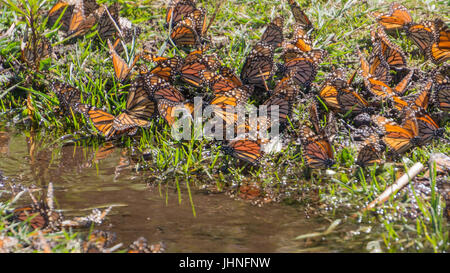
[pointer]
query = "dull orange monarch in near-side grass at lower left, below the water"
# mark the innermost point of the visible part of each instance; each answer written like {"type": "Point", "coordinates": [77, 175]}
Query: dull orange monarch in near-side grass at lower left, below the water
{"type": "Point", "coordinates": [39, 215]}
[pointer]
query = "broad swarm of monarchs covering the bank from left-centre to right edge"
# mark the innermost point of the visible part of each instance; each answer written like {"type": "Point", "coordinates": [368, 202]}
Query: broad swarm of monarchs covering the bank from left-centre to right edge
{"type": "Point", "coordinates": [154, 91]}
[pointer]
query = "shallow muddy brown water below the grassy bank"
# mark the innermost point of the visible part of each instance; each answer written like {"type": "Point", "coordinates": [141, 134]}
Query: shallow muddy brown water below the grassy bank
{"type": "Point", "coordinates": [221, 224]}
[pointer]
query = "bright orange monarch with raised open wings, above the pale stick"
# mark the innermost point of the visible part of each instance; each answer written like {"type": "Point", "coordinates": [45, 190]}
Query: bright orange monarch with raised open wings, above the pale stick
{"type": "Point", "coordinates": [399, 138]}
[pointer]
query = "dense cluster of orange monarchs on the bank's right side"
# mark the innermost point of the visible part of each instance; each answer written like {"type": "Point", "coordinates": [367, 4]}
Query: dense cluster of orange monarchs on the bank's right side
{"type": "Point", "coordinates": [406, 121]}
